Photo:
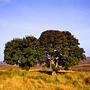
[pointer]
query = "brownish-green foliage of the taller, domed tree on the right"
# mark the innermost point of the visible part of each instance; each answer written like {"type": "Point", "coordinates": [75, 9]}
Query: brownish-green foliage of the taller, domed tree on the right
{"type": "Point", "coordinates": [67, 45]}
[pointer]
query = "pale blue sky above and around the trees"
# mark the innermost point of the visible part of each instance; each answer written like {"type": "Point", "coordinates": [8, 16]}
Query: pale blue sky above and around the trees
{"type": "Point", "coordinates": [19, 18]}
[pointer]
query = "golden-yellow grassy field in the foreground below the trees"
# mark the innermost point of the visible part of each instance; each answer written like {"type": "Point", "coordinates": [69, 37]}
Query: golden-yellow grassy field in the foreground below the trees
{"type": "Point", "coordinates": [13, 78]}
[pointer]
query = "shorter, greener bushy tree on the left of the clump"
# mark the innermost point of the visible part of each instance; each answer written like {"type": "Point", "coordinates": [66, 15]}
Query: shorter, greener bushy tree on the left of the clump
{"type": "Point", "coordinates": [21, 52]}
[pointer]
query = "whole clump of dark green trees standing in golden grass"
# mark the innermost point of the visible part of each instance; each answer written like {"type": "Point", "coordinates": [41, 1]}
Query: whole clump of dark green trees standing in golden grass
{"type": "Point", "coordinates": [55, 48]}
